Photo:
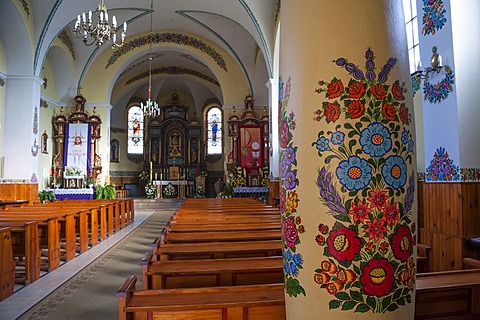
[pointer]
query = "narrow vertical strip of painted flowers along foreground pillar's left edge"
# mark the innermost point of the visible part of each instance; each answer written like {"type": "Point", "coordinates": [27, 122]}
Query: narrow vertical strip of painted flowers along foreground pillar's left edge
{"type": "Point", "coordinates": [292, 226]}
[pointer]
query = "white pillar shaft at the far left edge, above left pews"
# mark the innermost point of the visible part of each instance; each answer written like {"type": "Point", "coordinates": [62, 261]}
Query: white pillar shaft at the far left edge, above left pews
{"type": "Point", "coordinates": [20, 127]}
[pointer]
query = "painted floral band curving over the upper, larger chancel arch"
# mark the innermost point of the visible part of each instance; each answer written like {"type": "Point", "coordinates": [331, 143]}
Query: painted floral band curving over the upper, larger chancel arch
{"type": "Point", "coordinates": [168, 37]}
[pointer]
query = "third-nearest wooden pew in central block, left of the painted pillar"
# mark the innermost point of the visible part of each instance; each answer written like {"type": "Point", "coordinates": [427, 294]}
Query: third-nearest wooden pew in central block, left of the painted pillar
{"type": "Point", "coordinates": [221, 250]}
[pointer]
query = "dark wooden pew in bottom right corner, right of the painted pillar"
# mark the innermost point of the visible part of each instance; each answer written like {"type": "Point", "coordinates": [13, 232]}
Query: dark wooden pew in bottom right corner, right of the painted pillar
{"type": "Point", "coordinates": [448, 295]}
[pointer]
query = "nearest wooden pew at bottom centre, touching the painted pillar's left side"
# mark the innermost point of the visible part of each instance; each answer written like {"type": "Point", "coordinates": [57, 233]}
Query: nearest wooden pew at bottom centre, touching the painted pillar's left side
{"type": "Point", "coordinates": [258, 302]}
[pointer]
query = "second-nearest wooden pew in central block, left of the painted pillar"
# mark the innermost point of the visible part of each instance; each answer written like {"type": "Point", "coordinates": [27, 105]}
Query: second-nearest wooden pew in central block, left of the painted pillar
{"type": "Point", "coordinates": [210, 272]}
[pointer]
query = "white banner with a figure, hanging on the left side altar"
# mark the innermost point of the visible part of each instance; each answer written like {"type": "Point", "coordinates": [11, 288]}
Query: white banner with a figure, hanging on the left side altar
{"type": "Point", "coordinates": [77, 150]}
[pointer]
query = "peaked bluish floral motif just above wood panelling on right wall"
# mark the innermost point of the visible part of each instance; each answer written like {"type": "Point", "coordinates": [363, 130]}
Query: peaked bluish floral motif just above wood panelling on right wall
{"type": "Point", "coordinates": [442, 168]}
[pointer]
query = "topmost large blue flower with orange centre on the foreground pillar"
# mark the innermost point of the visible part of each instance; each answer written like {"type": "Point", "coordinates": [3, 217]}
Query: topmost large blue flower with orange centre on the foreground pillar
{"type": "Point", "coordinates": [375, 140]}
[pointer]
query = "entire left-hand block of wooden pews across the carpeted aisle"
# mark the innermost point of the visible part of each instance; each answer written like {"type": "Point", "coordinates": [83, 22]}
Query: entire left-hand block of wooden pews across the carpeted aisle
{"type": "Point", "coordinates": [40, 237]}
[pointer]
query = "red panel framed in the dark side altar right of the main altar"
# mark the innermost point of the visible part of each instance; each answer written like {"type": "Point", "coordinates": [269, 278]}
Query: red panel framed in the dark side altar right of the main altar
{"type": "Point", "coordinates": [251, 142]}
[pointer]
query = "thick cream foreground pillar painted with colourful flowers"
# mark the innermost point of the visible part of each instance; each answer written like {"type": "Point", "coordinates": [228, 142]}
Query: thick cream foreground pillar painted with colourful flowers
{"type": "Point", "coordinates": [347, 170]}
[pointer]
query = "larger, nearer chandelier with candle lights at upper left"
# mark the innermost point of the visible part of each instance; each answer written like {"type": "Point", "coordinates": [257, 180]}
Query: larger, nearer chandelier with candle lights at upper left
{"type": "Point", "coordinates": [100, 33]}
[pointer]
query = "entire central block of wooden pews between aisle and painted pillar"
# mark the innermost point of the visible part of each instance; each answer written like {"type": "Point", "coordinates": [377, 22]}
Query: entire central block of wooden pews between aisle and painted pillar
{"type": "Point", "coordinates": [216, 259]}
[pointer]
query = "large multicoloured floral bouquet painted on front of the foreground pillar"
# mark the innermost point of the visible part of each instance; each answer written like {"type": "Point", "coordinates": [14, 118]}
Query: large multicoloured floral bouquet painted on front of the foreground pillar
{"type": "Point", "coordinates": [365, 179]}
